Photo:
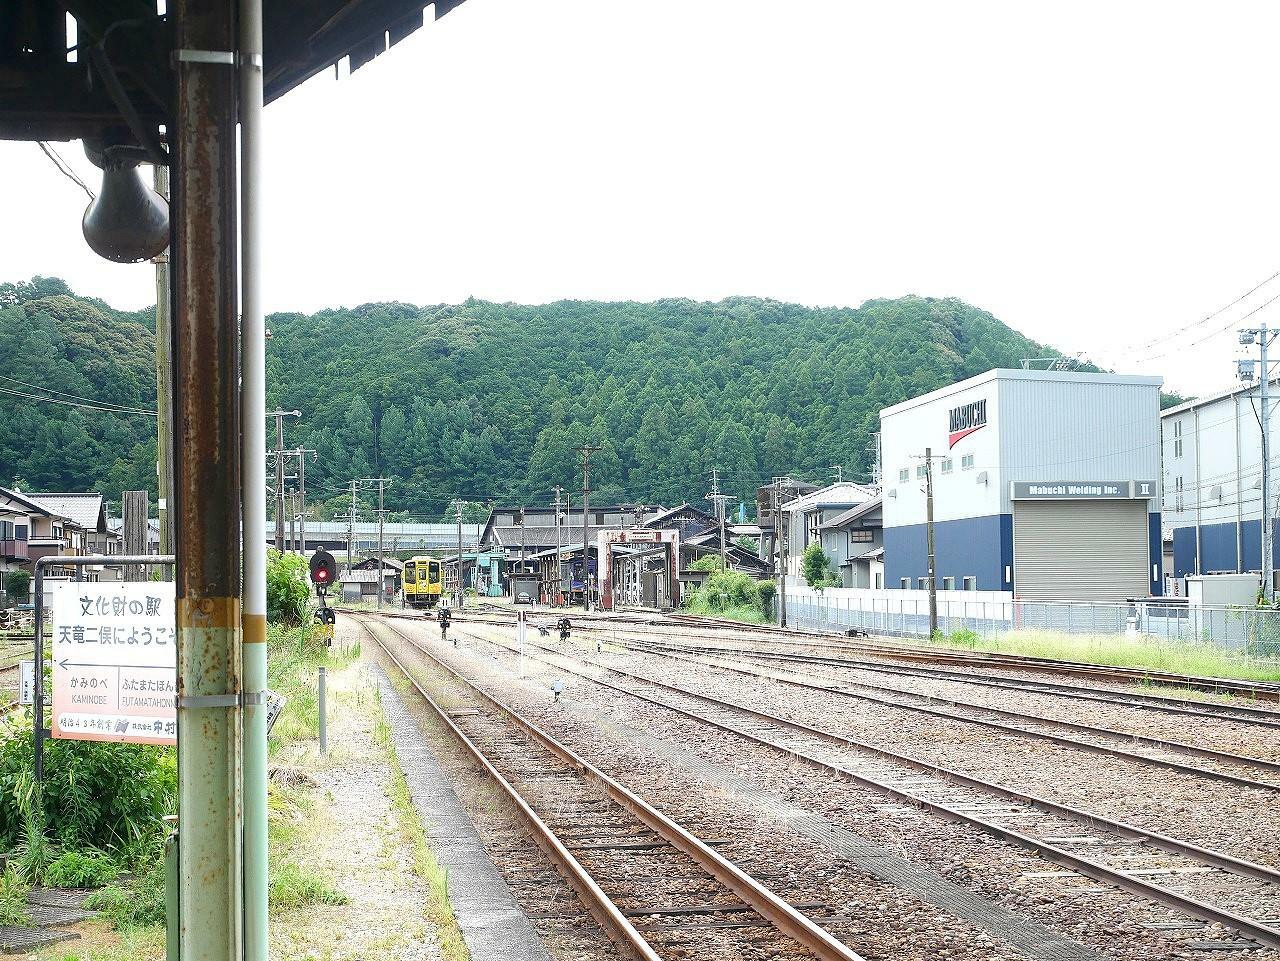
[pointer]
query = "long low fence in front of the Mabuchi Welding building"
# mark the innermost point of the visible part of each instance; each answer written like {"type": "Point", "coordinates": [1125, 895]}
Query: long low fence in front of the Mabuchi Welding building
{"type": "Point", "coordinates": [1244, 631]}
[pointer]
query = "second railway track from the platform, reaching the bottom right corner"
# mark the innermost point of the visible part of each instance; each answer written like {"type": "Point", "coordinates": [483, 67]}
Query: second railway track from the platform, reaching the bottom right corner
{"type": "Point", "coordinates": [1212, 886]}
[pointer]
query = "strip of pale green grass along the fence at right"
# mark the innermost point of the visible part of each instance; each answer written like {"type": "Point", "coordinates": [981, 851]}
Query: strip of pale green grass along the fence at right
{"type": "Point", "coordinates": [1119, 651]}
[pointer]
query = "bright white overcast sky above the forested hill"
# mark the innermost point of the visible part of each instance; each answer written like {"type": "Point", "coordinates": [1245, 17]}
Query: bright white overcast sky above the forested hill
{"type": "Point", "coordinates": [1099, 176]}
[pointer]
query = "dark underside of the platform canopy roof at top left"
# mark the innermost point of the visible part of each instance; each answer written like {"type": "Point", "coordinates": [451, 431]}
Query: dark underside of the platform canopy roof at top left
{"type": "Point", "coordinates": [121, 83]}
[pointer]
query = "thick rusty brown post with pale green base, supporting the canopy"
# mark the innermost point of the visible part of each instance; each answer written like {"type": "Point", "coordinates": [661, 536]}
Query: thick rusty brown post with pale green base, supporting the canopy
{"type": "Point", "coordinates": [208, 478]}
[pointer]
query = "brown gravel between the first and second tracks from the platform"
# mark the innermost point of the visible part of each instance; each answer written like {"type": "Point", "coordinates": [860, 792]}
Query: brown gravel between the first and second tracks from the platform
{"type": "Point", "coordinates": [1113, 923]}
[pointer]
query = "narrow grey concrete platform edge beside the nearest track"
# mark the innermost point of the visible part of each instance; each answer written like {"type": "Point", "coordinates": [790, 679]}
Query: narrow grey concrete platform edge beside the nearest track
{"type": "Point", "coordinates": [493, 925]}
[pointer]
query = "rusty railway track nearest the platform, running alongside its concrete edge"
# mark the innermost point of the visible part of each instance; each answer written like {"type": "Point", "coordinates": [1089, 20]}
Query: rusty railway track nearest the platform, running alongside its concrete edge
{"type": "Point", "coordinates": [624, 857]}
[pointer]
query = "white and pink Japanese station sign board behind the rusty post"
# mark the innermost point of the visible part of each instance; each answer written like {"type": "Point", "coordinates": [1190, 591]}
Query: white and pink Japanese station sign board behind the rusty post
{"type": "Point", "coordinates": [116, 662]}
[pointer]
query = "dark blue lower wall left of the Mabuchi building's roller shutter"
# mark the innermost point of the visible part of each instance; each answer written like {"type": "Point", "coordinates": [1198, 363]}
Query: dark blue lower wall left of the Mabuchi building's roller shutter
{"type": "Point", "coordinates": [971, 547]}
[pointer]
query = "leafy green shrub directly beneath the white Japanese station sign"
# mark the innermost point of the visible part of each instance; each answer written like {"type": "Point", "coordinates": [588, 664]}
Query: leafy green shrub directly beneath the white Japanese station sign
{"type": "Point", "coordinates": [97, 795]}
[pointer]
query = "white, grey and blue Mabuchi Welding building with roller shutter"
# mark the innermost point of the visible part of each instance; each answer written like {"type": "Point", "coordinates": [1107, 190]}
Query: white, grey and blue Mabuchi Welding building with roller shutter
{"type": "Point", "coordinates": [1045, 484]}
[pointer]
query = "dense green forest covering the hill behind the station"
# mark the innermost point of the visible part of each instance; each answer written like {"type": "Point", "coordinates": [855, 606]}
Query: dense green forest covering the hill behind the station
{"type": "Point", "coordinates": [487, 401]}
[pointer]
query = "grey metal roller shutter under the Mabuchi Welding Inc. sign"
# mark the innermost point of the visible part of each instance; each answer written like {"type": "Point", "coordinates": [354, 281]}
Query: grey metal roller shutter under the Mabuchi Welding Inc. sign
{"type": "Point", "coordinates": [1081, 551]}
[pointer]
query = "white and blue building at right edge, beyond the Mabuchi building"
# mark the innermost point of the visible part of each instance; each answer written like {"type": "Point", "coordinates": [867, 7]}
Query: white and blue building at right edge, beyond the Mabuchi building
{"type": "Point", "coordinates": [1213, 483]}
